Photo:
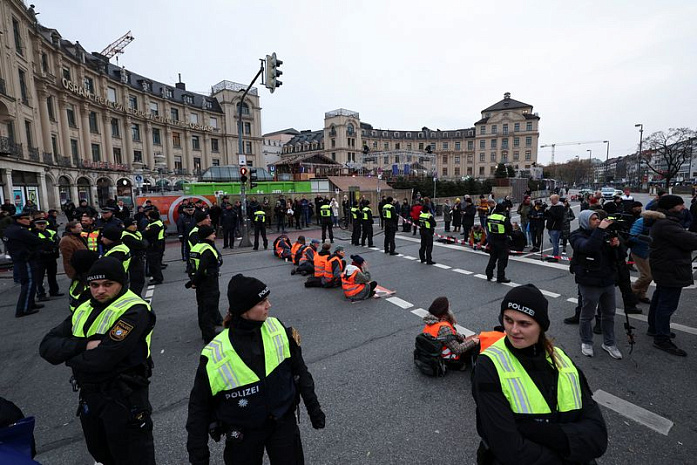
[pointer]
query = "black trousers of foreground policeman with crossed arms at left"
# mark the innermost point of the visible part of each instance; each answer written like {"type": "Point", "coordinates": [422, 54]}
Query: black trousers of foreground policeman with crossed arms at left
{"type": "Point", "coordinates": [117, 427]}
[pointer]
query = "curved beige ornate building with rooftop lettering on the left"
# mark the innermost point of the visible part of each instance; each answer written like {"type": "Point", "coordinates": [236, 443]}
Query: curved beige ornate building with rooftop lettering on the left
{"type": "Point", "coordinates": [73, 125]}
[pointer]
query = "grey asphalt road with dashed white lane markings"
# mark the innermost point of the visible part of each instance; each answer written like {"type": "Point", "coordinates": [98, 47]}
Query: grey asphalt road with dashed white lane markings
{"type": "Point", "coordinates": [379, 408]}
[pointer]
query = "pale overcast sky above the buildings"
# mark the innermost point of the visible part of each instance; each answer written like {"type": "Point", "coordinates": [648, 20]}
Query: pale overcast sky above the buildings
{"type": "Point", "coordinates": [591, 69]}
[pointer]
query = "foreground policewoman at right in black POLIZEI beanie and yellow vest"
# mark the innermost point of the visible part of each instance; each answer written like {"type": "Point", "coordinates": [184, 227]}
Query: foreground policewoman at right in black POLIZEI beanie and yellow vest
{"type": "Point", "coordinates": [533, 404]}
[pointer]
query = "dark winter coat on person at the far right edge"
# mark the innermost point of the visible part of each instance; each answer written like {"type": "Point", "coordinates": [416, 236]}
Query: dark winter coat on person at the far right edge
{"type": "Point", "coordinates": [670, 253]}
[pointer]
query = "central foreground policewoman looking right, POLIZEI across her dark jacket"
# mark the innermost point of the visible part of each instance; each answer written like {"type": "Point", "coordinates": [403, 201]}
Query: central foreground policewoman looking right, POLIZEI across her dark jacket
{"type": "Point", "coordinates": [248, 384]}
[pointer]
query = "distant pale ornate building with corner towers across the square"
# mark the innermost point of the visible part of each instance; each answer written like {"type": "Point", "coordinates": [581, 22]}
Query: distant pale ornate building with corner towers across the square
{"type": "Point", "coordinates": [507, 132]}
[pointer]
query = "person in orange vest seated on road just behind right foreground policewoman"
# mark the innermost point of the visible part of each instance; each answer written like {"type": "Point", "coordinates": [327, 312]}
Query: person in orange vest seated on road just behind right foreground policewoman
{"type": "Point", "coordinates": [440, 323]}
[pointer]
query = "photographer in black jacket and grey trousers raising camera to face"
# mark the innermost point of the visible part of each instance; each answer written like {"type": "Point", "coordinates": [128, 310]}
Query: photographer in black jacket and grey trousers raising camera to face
{"type": "Point", "coordinates": [594, 265]}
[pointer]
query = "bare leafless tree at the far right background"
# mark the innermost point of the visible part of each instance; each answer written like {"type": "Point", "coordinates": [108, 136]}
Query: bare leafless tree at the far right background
{"type": "Point", "coordinates": [665, 152]}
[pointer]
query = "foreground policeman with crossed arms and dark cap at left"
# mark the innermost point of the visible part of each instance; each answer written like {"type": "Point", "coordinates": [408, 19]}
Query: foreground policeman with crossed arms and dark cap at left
{"type": "Point", "coordinates": [106, 342]}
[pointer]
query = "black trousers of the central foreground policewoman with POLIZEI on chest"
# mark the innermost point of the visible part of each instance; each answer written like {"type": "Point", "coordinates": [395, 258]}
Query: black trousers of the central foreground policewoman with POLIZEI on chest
{"type": "Point", "coordinates": [280, 438]}
